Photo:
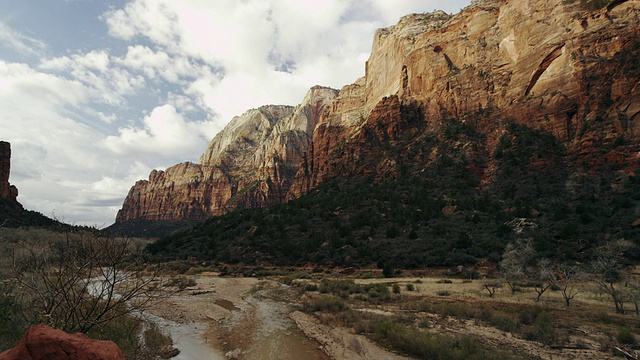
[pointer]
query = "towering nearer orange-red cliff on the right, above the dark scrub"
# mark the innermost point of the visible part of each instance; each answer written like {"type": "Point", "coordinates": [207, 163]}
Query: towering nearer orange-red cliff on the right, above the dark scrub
{"type": "Point", "coordinates": [558, 66]}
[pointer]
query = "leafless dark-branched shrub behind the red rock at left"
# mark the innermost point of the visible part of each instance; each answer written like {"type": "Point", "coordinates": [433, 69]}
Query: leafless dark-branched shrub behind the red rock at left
{"type": "Point", "coordinates": [78, 282]}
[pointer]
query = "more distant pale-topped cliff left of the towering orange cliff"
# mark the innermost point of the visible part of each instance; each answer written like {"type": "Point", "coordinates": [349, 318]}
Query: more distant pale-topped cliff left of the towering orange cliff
{"type": "Point", "coordinates": [250, 163]}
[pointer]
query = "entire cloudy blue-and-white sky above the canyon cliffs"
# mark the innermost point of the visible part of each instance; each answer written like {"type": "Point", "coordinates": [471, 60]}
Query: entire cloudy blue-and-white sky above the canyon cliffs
{"type": "Point", "coordinates": [94, 94]}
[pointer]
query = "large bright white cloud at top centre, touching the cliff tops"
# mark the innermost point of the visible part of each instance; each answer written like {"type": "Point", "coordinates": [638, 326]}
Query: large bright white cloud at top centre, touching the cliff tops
{"type": "Point", "coordinates": [230, 56]}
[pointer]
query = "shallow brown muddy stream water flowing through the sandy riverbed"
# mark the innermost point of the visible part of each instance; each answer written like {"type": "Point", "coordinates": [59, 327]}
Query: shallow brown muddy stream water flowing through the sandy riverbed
{"type": "Point", "coordinates": [256, 327]}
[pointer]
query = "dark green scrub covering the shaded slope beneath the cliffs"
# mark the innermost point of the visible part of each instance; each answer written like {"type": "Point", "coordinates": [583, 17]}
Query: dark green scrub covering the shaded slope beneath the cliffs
{"type": "Point", "coordinates": [433, 207]}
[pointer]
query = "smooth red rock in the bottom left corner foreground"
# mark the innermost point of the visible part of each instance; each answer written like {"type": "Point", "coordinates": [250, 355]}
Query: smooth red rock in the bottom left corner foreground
{"type": "Point", "coordinates": [43, 342]}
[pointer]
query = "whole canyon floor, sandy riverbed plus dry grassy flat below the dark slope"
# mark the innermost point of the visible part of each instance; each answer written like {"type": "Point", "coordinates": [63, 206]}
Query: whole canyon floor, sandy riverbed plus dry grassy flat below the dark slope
{"type": "Point", "coordinates": [321, 316]}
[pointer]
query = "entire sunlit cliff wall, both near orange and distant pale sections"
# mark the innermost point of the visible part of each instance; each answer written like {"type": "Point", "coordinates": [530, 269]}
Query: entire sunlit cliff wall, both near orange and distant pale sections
{"type": "Point", "coordinates": [567, 68]}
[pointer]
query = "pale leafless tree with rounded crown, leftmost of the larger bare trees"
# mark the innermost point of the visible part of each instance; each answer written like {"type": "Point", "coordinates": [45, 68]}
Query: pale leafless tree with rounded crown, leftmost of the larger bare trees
{"type": "Point", "coordinates": [515, 260]}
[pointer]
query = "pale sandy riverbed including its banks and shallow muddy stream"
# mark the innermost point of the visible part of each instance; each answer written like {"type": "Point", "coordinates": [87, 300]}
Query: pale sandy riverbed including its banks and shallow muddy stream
{"type": "Point", "coordinates": [248, 318]}
